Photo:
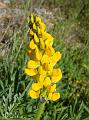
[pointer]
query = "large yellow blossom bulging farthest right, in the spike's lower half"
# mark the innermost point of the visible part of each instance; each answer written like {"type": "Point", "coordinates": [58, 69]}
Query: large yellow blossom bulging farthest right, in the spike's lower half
{"type": "Point", "coordinates": [56, 75]}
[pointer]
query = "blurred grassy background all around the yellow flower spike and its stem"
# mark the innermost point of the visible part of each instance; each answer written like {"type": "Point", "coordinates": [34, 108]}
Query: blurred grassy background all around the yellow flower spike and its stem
{"type": "Point", "coordinates": [68, 22]}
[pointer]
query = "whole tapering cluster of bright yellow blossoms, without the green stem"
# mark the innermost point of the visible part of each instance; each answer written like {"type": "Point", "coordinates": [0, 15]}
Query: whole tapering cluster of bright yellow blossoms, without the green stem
{"type": "Point", "coordinates": [43, 59]}
